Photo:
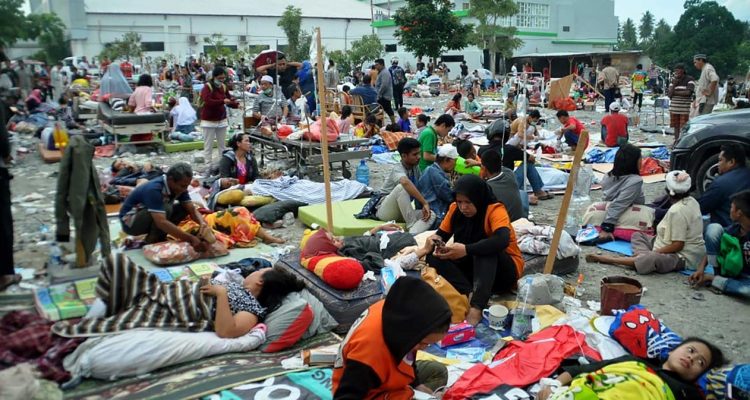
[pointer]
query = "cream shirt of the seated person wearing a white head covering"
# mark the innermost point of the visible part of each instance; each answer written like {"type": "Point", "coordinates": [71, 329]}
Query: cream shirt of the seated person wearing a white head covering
{"type": "Point", "coordinates": [683, 223]}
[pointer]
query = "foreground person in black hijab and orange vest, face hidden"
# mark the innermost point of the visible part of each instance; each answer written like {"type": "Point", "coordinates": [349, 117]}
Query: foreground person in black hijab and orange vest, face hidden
{"type": "Point", "coordinates": [377, 359]}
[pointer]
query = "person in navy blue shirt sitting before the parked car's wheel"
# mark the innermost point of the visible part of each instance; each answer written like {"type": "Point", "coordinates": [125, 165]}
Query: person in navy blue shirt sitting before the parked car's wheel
{"type": "Point", "coordinates": [733, 177]}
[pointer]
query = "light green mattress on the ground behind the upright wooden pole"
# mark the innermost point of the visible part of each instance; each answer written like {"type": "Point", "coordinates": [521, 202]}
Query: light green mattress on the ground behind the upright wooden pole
{"type": "Point", "coordinates": [344, 223]}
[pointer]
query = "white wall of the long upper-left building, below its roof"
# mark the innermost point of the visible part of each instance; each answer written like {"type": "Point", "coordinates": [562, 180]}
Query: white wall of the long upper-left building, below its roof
{"type": "Point", "coordinates": [174, 31]}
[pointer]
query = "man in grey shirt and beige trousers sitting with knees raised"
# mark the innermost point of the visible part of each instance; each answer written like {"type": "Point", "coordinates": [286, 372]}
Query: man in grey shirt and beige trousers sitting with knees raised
{"type": "Point", "coordinates": [400, 187]}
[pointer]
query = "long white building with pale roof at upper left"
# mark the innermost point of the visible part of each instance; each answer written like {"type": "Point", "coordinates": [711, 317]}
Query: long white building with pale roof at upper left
{"type": "Point", "coordinates": [179, 28]}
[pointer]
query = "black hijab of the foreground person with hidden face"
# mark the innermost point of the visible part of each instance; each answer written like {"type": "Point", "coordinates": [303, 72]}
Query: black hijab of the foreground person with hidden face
{"type": "Point", "coordinates": [412, 310]}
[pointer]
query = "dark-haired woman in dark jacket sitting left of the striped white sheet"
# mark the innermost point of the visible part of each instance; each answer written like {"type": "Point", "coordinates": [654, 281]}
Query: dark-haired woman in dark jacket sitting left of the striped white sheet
{"type": "Point", "coordinates": [238, 164]}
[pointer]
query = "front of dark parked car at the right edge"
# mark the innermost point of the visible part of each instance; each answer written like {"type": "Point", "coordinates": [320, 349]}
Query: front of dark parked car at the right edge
{"type": "Point", "coordinates": [697, 151]}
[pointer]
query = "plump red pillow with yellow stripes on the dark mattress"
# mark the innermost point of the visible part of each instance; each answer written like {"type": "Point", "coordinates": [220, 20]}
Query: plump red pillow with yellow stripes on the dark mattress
{"type": "Point", "coordinates": [343, 273]}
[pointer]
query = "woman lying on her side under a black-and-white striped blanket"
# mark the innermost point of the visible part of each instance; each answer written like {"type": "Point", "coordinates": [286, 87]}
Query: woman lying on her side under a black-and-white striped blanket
{"type": "Point", "coordinates": [136, 299]}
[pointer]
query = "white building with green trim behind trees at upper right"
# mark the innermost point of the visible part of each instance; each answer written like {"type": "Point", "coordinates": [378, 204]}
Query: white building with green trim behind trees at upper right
{"type": "Point", "coordinates": [545, 26]}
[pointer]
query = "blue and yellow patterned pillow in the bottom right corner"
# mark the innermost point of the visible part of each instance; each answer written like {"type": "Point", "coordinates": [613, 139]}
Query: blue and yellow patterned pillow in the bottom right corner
{"type": "Point", "coordinates": [720, 382]}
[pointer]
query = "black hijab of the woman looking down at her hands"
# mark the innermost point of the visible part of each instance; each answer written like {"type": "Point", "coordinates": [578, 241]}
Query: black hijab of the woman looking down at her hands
{"type": "Point", "coordinates": [471, 230]}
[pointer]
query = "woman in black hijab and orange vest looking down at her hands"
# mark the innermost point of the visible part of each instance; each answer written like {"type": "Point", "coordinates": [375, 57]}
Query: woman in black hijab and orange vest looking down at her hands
{"type": "Point", "coordinates": [484, 257]}
